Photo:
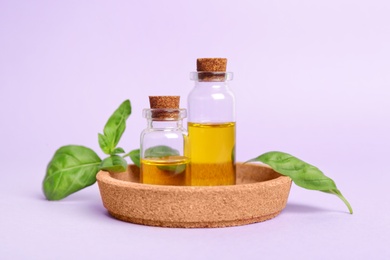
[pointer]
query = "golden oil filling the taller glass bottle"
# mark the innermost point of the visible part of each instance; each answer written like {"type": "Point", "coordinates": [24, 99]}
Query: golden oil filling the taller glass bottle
{"type": "Point", "coordinates": [212, 150]}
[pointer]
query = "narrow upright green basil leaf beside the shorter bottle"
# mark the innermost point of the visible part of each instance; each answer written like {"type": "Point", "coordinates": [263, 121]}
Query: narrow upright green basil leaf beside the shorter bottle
{"type": "Point", "coordinates": [116, 125]}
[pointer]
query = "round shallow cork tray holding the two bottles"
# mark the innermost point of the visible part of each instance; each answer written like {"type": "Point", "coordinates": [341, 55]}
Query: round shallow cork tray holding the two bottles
{"type": "Point", "coordinates": [260, 194]}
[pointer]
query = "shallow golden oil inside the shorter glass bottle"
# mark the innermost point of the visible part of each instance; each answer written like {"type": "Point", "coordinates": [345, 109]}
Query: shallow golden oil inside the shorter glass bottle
{"type": "Point", "coordinates": [167, 170]}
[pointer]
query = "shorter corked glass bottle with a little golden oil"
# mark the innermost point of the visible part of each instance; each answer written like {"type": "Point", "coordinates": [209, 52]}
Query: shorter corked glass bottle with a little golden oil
{"type": "Point", "coordinates": [164, 152]}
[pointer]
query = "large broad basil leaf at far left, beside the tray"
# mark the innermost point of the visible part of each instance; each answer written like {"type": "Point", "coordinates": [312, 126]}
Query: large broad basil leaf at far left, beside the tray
{"type": "Point", "coordinates": [71, 169]}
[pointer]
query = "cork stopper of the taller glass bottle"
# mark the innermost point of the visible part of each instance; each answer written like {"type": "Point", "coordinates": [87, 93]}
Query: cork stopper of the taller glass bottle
{"type": "Point", "coordinates": [211, 69]}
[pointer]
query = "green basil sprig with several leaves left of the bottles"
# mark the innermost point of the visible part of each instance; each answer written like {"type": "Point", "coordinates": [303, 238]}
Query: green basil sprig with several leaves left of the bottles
{"type": "Point", "coordinates": [74, 167]}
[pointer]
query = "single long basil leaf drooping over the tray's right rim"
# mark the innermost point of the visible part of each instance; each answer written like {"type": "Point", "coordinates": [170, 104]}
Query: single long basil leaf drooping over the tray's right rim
{"type": "Point", "coordinates": [302, 174]}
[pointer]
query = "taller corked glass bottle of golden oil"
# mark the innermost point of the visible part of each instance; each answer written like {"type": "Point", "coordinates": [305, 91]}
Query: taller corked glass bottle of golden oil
{"type": "Point", "coordinates": [212, 125]}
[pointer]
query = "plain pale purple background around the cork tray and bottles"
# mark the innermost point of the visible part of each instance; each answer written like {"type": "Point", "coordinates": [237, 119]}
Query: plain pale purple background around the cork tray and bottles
{"type": "Point", "coordinates": [312, 78]}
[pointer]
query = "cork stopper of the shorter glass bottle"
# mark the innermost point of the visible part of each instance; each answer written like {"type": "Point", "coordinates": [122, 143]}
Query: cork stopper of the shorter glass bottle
{"type": "Point", "coordinates": [164, 107]}
